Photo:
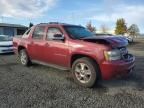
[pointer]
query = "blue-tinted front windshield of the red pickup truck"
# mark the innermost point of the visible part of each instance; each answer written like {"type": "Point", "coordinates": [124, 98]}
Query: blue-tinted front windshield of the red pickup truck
{"type": "Point", "coordinates": [78, 32]}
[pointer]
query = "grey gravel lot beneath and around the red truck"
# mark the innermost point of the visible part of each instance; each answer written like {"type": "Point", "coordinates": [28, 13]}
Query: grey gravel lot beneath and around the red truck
{"type": "Point", "coordinates": [43, 87]}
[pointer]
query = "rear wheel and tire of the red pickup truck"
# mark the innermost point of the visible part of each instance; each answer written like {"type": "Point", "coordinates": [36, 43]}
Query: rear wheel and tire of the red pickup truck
{"type": "Point", "coordinates": [24, 58]}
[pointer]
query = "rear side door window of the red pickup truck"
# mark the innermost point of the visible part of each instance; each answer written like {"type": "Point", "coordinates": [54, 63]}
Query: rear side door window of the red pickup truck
{"type": "Point", "coordinates": [39, 32]}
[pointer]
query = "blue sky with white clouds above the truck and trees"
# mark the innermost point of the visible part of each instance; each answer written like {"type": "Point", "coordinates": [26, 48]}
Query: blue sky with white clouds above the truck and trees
{"type": "Point", "coordinates": [99, 12]}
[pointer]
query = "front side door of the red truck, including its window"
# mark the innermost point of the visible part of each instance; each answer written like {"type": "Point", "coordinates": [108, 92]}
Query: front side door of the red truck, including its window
{"type": "Point", "coordinates": [57, 51]}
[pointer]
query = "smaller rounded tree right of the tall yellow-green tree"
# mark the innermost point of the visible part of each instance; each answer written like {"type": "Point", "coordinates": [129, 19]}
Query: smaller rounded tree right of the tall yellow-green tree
{"type": "Point", "coordinates": [133, 30]}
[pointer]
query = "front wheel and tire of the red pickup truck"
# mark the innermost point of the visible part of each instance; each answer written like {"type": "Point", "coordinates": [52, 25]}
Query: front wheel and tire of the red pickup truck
{"type": "Point", "coordinates": [85, 72]}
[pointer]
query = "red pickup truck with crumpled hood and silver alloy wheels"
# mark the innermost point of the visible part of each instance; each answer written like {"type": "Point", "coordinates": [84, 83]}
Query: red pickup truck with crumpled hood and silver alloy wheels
{"type": "Point", "coordinates": [73, 47]}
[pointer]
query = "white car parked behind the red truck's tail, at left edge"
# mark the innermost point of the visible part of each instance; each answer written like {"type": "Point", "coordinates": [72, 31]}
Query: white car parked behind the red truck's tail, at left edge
{"type": "Point", "coordinates": [6, 44]}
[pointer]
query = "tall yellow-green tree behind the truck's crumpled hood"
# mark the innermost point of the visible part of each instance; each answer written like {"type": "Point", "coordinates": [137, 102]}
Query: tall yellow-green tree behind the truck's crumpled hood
{"type": "Point", "coordinates": [121, 27]}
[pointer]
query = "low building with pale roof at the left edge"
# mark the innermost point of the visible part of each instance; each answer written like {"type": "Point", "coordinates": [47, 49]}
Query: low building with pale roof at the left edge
{"type": "Point", "coordinates": [12, 29]}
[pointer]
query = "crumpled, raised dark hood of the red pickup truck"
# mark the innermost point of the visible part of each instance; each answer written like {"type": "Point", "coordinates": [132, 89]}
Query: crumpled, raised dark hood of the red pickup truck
{"type": "Point", "coordinates": [114, 41]}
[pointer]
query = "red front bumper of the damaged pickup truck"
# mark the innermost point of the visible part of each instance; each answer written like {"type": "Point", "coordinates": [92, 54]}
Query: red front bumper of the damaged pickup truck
{"type": "Point", "coordinates": [113, 69]}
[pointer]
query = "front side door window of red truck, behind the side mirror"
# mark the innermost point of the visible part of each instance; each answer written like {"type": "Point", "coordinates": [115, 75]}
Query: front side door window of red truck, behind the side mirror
{"type": "Point", "coordinates": [51, 32]}
